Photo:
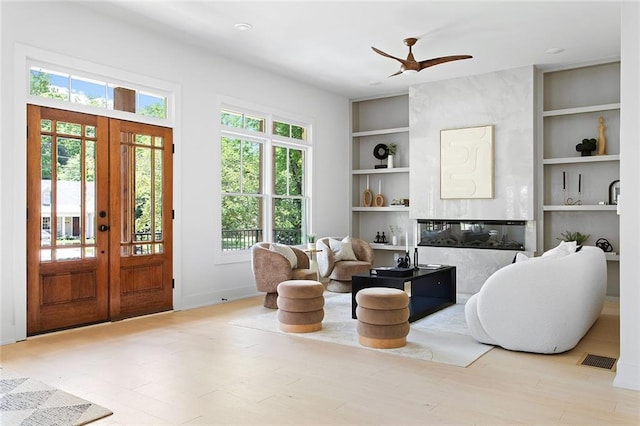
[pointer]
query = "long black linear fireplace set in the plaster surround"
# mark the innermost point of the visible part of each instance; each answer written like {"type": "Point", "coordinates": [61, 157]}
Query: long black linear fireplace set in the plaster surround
{"type": "Point", "coordinates": [477, 234]}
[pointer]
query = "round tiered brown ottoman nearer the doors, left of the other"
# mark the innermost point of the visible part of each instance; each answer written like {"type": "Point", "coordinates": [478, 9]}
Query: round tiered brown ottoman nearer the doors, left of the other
{"type": "Point", "coordinates": [300, 306]}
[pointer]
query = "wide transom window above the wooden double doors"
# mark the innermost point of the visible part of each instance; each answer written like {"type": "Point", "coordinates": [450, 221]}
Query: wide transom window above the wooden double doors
{"type": "Point", "coordinates": [82, 90]}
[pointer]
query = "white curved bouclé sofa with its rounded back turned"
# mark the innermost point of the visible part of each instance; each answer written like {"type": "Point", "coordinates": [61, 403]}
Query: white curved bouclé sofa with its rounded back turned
{"type": "Point", "coordinates": [541, 305]}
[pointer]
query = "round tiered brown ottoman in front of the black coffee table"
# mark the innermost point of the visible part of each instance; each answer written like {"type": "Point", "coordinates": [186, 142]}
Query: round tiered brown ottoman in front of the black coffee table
{"type": "Point", "coordinates": [383, 317]}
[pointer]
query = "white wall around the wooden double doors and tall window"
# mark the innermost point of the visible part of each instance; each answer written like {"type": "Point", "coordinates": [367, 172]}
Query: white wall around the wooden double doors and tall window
{"type": "Point", "coordinates": [203, 79]}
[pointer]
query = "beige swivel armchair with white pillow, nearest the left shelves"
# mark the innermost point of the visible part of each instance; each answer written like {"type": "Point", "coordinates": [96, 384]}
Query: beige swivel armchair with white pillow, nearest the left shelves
{"type": "Point", "coordinates": [339, 268]}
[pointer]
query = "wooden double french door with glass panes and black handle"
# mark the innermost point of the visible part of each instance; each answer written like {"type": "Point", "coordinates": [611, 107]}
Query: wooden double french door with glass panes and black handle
{"type": "Point", "coordinates": [99, 219]}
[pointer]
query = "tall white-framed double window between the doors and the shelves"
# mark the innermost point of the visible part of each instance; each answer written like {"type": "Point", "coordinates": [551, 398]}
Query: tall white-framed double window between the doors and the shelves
{"type": "Point", "coordinates": [264, 179]}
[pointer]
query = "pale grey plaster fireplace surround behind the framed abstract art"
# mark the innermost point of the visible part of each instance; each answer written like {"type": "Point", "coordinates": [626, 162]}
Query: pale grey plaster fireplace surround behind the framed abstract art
{"type": "Point", "coordinates": [505, 100]}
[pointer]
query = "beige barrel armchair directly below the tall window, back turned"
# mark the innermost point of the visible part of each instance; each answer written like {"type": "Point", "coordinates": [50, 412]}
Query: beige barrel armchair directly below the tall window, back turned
{"type": "Point", "coordinates": [270, 268]}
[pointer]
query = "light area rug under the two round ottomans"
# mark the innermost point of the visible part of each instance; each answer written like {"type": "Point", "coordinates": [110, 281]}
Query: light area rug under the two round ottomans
{"type": "Point", "coordinates": [440, 337]}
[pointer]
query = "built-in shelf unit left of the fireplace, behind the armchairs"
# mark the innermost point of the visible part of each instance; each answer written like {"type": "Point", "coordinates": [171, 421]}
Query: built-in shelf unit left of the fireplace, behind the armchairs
{"type": "Point", "coordinates": [375, 121]}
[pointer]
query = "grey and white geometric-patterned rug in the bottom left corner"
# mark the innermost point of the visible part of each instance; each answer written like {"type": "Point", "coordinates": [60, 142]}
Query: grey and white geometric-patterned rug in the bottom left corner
{"type": "Point", "coordinates": [25, 401]}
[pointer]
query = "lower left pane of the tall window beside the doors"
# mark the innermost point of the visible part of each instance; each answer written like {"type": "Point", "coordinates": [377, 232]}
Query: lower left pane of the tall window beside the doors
{"type": "Point", "coordinates": [241, 222]}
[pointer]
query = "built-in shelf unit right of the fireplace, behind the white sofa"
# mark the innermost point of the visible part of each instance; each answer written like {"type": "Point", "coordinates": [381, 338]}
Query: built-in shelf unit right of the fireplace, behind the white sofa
{"type": "Point", "coordinates": [573, 99]}
